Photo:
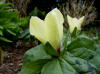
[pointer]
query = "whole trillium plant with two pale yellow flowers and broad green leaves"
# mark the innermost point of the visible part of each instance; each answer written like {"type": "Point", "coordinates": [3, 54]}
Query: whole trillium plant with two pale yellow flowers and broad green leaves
{"type": "Point", "coordinates": [57, 53]}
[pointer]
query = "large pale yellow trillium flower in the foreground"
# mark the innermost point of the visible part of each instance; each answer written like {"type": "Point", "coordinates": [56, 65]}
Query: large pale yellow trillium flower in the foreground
{"type": "Point", "coordinates": [48, 30]}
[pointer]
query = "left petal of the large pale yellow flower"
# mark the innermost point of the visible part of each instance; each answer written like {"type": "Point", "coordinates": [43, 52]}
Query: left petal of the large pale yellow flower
{"type": "Point", "coordinates": [38, 29]}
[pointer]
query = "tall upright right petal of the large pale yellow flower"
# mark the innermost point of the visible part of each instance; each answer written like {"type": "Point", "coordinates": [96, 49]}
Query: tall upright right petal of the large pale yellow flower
{"type": "Point", "coordinates": [54, 22]}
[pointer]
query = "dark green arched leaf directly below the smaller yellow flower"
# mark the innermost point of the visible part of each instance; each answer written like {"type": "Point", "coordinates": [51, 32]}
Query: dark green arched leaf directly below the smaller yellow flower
{"type": "Point", "coordinates": [81, 42]}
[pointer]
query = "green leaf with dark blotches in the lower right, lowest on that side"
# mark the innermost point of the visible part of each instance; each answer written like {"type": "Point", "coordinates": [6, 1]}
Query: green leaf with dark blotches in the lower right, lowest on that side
{"type": "Point", "coordinates": [80, 65]}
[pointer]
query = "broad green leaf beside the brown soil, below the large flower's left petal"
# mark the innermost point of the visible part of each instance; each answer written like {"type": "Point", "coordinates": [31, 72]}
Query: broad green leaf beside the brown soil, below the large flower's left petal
{"type": "Point", "coordinates": [34, 59]}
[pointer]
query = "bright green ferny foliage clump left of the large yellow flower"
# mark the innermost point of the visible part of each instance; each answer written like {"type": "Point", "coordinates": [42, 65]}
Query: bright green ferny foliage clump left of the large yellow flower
{"type": "Point", "coordinates": [11, 25]}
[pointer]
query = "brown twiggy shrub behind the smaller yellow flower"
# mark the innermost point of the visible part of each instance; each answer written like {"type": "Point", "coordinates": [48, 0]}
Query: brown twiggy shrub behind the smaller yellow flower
{"type": "Point", "coordinates": [78, 9]}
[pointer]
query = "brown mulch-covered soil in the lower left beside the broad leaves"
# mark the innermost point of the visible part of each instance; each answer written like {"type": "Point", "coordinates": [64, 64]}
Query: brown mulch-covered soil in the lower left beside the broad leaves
{"type": "Point", "coordinates": [12, 63]}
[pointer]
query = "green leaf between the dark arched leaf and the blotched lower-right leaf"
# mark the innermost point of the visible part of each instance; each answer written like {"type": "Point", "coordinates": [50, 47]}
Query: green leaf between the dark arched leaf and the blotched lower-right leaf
{"type": "Point", "coordinates": [83, 53]}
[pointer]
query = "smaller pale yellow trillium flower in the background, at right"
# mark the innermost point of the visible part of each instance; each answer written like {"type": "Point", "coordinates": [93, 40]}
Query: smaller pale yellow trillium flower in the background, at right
{"type": "Point", "coordinates": [74, 22]}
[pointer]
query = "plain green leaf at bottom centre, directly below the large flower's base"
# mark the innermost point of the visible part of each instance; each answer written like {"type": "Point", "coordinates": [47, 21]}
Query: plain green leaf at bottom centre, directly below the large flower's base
{"type": "Point", "coordinates": [52, 67]}
